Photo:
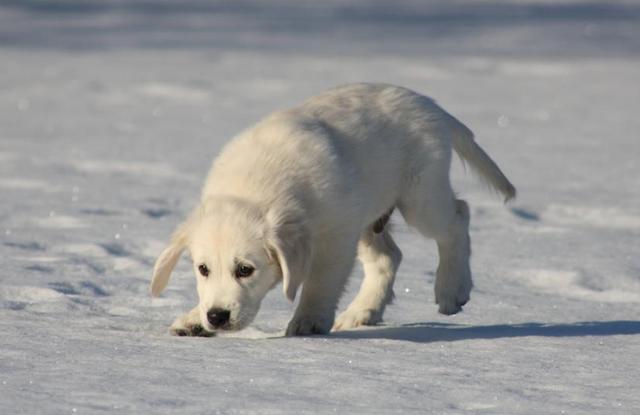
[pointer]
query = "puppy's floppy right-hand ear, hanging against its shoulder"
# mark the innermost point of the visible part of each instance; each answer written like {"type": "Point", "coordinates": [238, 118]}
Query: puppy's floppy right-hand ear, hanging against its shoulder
{"type": "Point", "coordinates": [290, 242]}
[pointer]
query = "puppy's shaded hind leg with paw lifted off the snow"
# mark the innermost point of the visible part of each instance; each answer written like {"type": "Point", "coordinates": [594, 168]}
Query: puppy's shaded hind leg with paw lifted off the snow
{"type": "Point", "coordinates": [438, 215]}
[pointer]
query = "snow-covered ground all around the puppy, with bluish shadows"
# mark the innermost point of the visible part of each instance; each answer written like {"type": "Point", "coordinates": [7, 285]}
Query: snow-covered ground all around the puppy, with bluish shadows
{"type": "Point", "coordinates": [110, 113]}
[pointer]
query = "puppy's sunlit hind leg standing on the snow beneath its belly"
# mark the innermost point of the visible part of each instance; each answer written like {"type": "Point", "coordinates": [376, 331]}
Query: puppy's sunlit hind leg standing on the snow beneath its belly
{"type": "Point", "coordinates": [380, 258]}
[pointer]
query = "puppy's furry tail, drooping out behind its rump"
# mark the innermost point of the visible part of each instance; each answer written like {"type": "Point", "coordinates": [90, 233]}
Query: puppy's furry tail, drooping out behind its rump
{"type": "Point", "coordinates": [480, 162]}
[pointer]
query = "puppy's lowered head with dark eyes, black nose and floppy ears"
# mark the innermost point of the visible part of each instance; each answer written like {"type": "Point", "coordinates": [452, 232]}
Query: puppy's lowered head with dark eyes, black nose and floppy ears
{"type": "Point", "coordinates": [239, 253]}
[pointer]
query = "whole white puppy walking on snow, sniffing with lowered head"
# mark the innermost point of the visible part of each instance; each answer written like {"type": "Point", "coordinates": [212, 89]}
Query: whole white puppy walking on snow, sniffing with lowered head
{"type": "Point", "coordinates": [295, 198]}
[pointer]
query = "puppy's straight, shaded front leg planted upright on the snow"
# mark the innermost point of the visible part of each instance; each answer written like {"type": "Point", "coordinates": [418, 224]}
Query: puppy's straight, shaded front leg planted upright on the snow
{"type": "Point", "coordinates": [321, 293]}
